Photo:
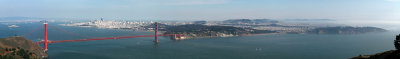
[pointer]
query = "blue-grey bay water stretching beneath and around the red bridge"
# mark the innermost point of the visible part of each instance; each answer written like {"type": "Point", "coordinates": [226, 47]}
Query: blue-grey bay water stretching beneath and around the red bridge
{"type": "Point", "coordinates": [273, 46]}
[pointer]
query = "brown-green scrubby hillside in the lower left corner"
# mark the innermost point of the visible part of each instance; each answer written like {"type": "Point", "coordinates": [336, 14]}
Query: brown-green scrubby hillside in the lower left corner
{"type": "Point", "coordinates": [20, 48]}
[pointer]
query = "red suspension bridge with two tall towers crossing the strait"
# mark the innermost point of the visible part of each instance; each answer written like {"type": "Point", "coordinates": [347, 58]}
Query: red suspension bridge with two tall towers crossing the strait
{"type": "Point", "coordinates": [46, 42]}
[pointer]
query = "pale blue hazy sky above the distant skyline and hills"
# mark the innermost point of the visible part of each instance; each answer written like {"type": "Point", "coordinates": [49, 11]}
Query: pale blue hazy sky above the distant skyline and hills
{"type": "Point", "coordinates": [206, 9]}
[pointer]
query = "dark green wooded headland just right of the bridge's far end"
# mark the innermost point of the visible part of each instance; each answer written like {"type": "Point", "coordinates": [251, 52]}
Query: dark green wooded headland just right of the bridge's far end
{"type": "Point", "coordinates": [197, 30]}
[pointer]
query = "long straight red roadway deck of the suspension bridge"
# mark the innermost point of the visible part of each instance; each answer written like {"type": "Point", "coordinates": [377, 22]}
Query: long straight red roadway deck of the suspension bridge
{"type": "Point", "coordinates": [107, 38]}
